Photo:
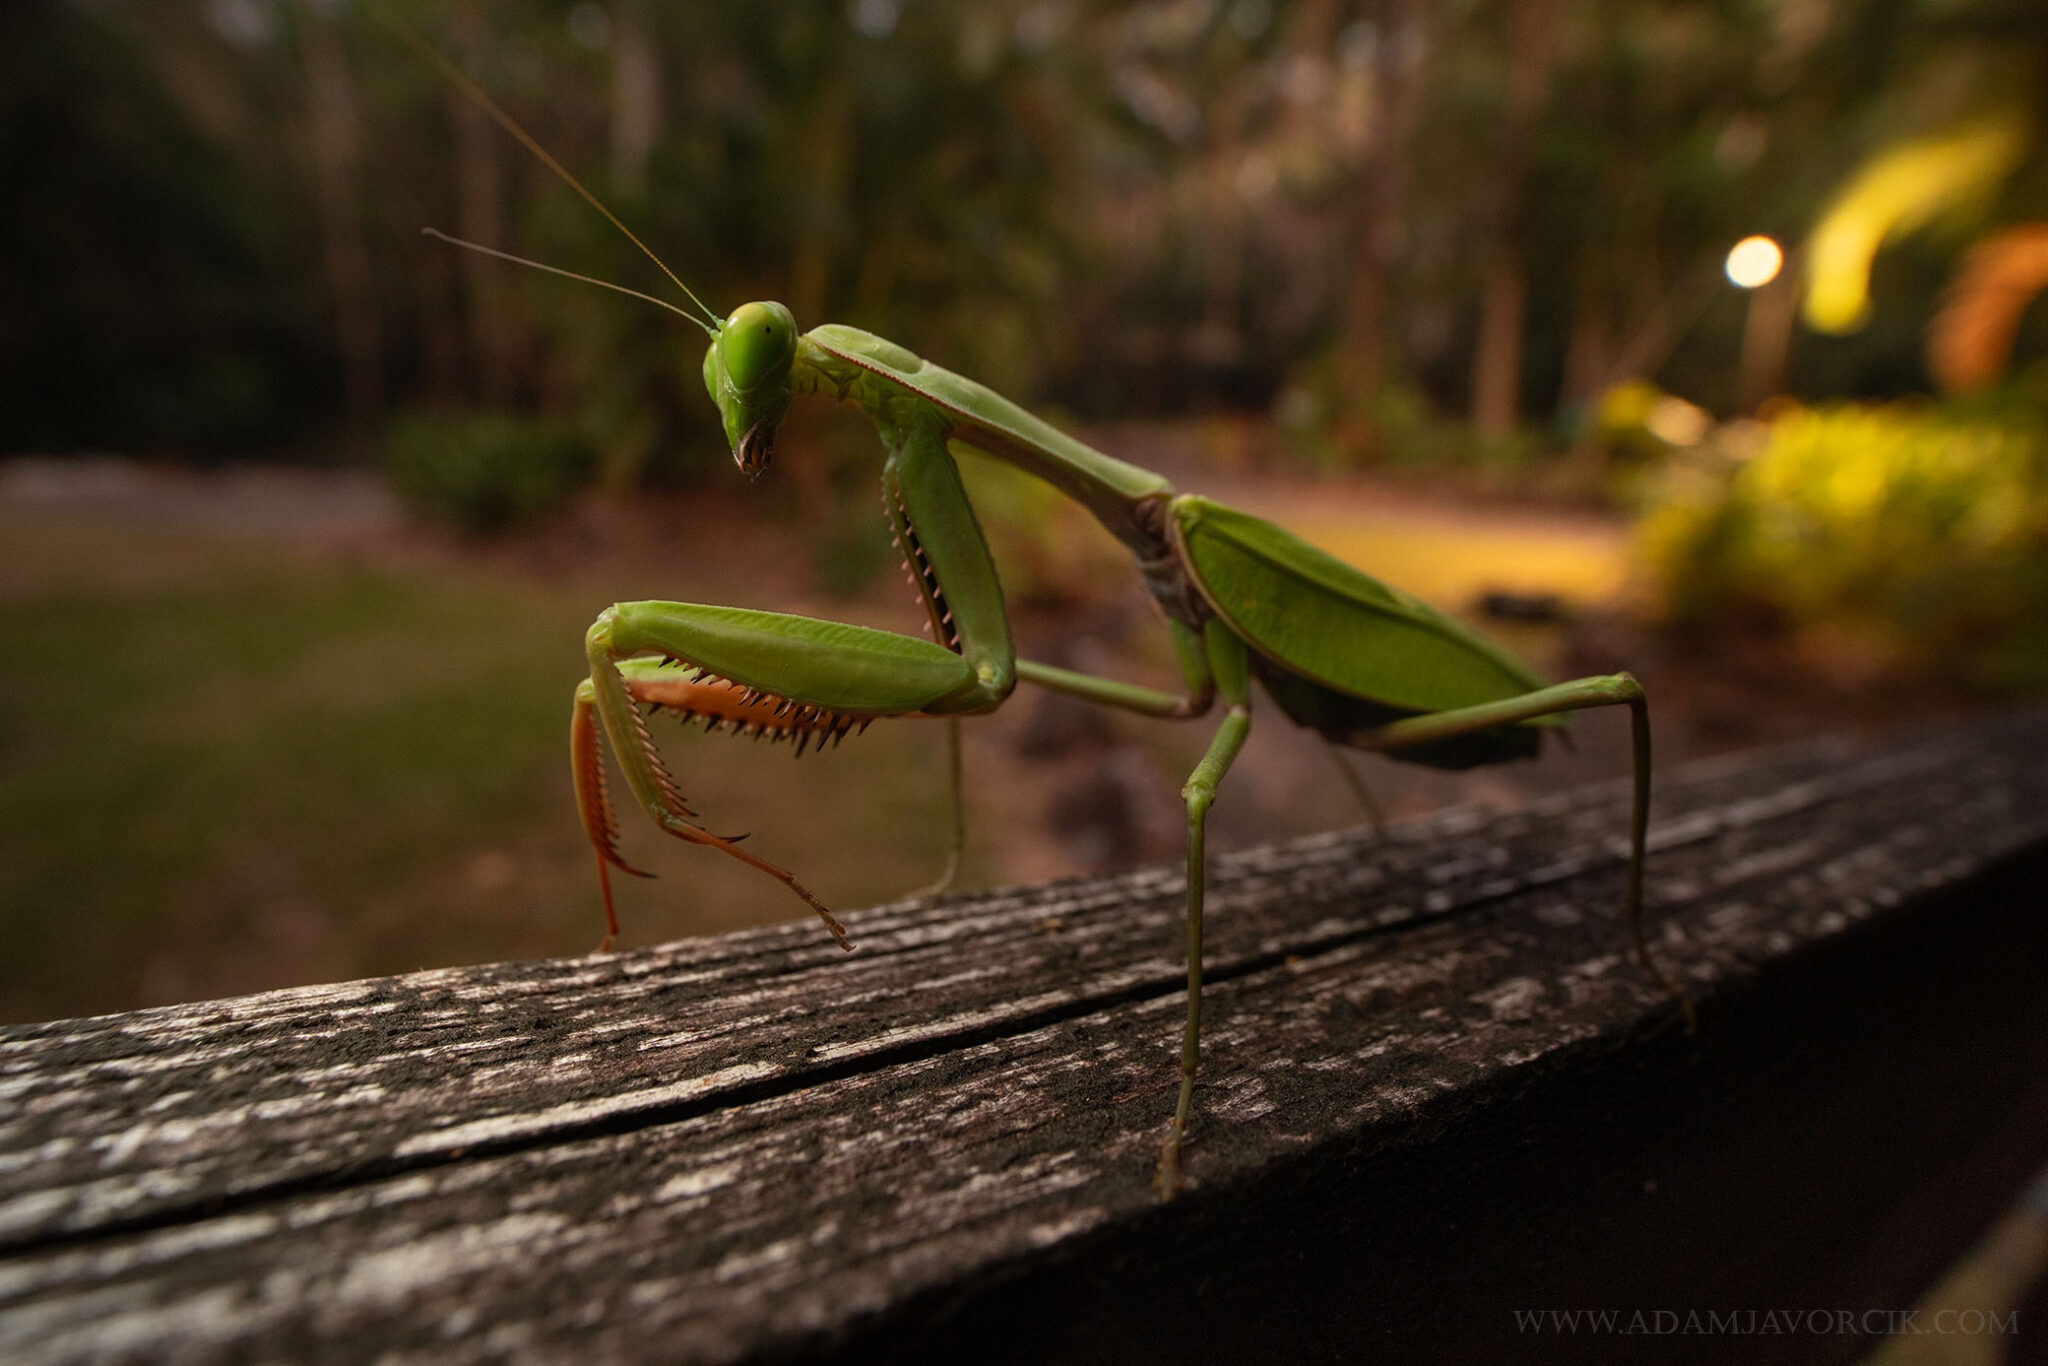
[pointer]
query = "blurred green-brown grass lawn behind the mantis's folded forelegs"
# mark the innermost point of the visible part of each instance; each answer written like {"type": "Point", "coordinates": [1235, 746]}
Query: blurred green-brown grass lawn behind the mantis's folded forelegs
{"type": "Point", "coordinates": [226, 769]}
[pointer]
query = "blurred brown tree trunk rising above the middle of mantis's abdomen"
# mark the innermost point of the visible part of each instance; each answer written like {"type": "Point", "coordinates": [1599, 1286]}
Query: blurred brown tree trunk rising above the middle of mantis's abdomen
{"type": "Point", "coordinates": [1383, 191]}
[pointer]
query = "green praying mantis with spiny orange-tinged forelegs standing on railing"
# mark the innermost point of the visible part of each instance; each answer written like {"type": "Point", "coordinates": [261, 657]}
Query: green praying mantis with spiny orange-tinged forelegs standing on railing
{"type": "Point", "coordinates": [1246, 603]}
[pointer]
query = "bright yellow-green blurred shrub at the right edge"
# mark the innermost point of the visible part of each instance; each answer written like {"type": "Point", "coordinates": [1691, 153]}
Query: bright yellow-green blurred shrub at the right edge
{"type": "Point", "coordinates": [1904, 523]}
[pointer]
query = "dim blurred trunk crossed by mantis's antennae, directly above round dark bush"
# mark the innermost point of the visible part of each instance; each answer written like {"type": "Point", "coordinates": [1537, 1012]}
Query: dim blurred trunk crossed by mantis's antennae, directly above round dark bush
{"type": "Point", "coordinates": [495, 329]}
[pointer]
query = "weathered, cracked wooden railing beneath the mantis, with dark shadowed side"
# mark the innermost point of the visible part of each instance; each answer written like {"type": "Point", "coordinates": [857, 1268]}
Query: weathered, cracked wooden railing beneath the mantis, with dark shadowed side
{"type": "Point", "coordinates": [1437, 1095]}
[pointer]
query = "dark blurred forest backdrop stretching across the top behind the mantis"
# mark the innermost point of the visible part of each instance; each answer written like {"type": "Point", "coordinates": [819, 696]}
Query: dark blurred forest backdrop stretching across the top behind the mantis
{"type": "Point", "coordinates": [1498, 208]}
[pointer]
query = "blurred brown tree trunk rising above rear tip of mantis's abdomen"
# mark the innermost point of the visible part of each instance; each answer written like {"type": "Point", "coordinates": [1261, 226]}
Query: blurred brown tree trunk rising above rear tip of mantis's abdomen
{"type": "Point", "coordinates": [1504, 290]}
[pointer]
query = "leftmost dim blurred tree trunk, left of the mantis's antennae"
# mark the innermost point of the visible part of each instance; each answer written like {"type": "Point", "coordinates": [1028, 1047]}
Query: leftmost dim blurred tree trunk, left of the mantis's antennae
{"type": "Point", "coordinates": [337, 140]}
